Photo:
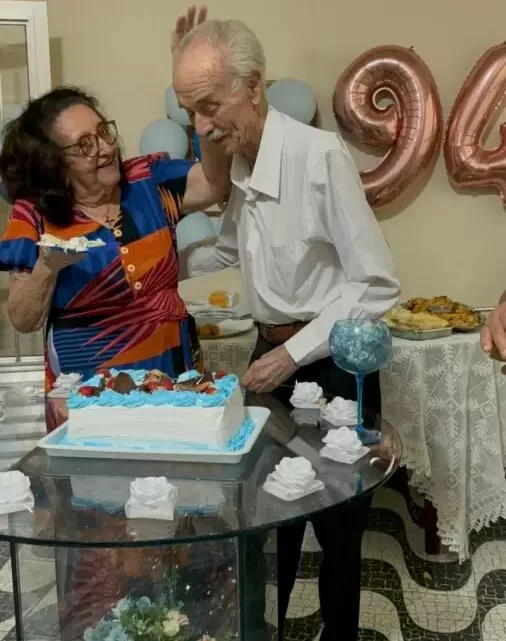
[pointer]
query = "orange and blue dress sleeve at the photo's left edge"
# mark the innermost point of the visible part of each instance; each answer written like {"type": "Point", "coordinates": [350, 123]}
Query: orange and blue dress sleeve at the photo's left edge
{"type": "Point", "coordinates": [18, 247]}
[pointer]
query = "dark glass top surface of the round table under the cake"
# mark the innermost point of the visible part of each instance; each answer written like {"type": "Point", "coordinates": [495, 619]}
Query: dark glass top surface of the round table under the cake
{"type": "Point", "coordinates": [80, 502]}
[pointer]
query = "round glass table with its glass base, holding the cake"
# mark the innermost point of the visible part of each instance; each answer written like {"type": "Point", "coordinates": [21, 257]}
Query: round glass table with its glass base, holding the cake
{"type": "Point", "coordinates": [209, 574]}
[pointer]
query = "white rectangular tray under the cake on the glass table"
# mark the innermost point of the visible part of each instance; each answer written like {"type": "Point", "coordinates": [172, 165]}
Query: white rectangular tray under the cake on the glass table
{"type": "Point", "coordinates": [53, 446]}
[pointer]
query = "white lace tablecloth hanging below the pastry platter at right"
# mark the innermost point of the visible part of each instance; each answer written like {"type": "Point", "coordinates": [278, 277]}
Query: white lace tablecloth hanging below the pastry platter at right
{"type": "Point", "coordinates": [447, 400]}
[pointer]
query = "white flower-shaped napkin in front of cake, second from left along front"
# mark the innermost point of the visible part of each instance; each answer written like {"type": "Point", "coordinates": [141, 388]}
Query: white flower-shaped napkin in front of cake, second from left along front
{"type": "Point", "coordinates": [152, 497]}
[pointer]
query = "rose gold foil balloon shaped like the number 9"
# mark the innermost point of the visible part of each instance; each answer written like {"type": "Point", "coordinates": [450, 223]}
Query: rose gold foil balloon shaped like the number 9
{"type": "Point", "coordinates": [410, 129]}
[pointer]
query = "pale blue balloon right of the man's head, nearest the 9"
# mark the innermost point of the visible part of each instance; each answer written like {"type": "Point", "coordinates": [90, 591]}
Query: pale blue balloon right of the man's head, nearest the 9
{"type": "Point", "coordinates": [294, 98]}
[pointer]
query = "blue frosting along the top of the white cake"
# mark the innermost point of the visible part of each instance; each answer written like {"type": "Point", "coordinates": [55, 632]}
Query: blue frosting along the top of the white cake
{"type": "Point", "coordinates": [136, 398]}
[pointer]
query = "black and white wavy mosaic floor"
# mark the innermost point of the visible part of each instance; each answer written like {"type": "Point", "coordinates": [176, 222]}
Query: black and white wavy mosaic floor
{"type": "Point", "coordinates": [406, 595]}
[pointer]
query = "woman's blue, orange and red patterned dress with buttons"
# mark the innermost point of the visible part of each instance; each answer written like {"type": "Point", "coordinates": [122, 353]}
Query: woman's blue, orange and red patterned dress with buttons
{"type": "Point", "coordinates": [119, 307]}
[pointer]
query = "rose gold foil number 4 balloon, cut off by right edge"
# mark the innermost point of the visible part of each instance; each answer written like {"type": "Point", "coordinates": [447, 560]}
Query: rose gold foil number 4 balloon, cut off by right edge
{"type": "Point", "coordinates": [468, 163]}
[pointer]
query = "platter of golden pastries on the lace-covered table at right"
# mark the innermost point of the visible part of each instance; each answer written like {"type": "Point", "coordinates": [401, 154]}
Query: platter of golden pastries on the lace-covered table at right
{"type": "Point", "coordinates": [436, 317]}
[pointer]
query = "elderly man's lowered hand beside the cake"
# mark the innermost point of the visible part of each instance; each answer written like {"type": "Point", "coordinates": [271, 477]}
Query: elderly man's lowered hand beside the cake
{"type": "Point", "coordinates": [269, 371]}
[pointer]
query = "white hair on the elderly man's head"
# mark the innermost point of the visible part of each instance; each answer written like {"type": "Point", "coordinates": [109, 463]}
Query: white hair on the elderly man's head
{"type": "Point", "coordinates": [243, 50]}
